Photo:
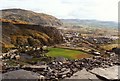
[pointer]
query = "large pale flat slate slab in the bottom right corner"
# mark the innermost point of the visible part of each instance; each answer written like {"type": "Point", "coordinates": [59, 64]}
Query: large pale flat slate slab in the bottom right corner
{"type": "Point", "coordinates": [110, 73]}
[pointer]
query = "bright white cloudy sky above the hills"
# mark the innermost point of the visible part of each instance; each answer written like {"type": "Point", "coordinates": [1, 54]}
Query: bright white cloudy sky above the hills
{"type": "Point", "coordinates": [105, 10]}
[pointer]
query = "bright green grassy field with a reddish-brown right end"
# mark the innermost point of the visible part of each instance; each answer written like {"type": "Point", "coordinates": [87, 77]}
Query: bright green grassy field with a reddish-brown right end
{"type": "Point", "coordinates": [71, 54]}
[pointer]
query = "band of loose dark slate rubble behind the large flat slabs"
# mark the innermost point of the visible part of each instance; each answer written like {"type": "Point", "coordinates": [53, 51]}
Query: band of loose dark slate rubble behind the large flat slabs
{"type": "Point", "coordinates": [58, 70]}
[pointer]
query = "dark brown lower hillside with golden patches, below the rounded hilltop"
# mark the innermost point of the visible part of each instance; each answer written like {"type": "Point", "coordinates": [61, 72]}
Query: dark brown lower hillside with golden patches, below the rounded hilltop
{"type": "Point", "coordinates": [33, 35]}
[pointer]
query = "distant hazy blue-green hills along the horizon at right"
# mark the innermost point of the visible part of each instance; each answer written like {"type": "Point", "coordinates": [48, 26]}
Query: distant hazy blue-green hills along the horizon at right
{"type": "Point", "coordinates": [90, 23]}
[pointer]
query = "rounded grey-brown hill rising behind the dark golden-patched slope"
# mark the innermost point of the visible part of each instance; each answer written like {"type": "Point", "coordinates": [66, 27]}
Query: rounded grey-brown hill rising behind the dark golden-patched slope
{"type": "Point", "coordinates": [21, 15]}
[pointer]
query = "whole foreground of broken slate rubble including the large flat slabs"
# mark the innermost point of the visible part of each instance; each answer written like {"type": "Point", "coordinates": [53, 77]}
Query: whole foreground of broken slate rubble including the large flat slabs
{"type": "Point", "coordinates": [61, 68]}
